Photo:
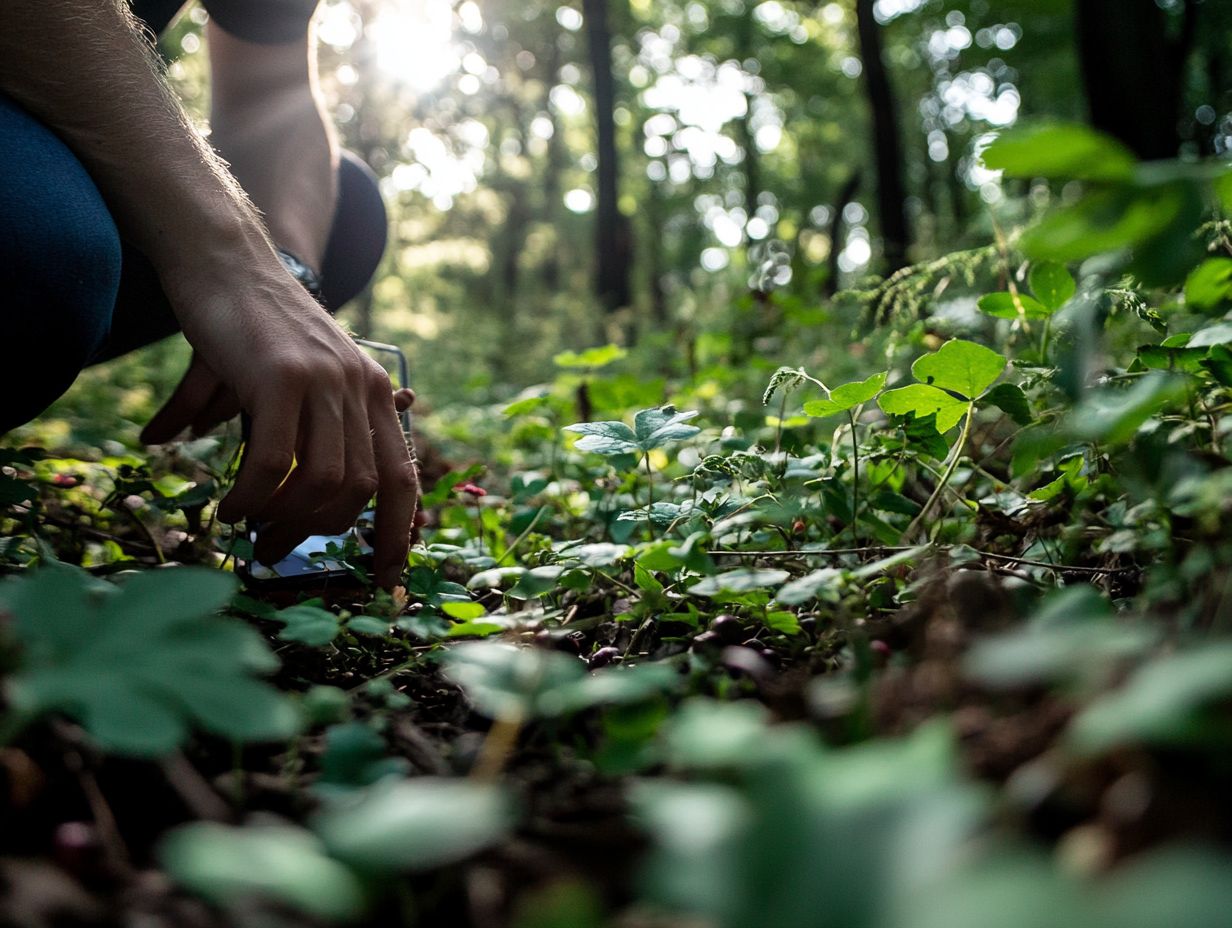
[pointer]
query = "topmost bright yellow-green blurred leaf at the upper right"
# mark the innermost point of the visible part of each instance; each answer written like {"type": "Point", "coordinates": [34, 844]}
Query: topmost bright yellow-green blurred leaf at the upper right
{"type": "Point", "coordinates": [1060, 152]}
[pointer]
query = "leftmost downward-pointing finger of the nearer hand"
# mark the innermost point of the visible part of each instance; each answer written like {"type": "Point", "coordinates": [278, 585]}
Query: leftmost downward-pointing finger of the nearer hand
{"type": "Point", "coordinates": [268, 459]}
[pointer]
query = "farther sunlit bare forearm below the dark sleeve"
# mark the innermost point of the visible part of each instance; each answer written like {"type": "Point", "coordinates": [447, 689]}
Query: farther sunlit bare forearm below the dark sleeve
{"type": "Point", "coordinates": [268, 121]}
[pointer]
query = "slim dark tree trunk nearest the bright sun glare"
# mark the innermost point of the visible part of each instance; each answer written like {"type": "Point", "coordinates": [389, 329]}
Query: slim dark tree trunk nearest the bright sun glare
{"type": "Point", "coordinates": [613, 240]}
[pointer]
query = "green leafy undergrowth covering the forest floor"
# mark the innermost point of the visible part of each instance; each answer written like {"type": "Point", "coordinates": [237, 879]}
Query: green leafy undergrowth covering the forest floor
{"type": "Point", "coordinates": [930, 632]}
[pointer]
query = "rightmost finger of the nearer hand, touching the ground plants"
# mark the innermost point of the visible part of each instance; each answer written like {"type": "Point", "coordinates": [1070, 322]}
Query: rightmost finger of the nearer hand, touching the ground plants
{"type": "Point", "coordinates": [399, 492]}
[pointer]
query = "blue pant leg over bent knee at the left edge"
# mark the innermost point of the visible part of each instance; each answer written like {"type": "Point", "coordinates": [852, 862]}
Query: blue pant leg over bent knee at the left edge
{"type": "Point", "coordinates": [60, 267]}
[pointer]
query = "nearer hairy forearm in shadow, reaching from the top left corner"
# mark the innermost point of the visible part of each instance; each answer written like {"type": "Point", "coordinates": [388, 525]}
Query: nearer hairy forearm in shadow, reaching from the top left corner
{"type": "Point", "coordinates": [83, 68]}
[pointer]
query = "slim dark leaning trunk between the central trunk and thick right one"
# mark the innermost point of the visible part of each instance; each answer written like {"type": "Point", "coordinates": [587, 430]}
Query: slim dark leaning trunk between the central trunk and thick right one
{"type": "Point", "coordinates": [886, 140]}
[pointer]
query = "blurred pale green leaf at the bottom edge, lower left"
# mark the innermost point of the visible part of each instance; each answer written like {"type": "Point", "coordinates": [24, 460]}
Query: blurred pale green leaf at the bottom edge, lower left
{"type": "Point", "coordinates": [279, 863]}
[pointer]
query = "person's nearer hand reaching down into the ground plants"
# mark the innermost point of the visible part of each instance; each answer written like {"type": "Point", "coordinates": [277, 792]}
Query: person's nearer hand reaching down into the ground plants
{"type": "Point", "coordinates": [325, 428]}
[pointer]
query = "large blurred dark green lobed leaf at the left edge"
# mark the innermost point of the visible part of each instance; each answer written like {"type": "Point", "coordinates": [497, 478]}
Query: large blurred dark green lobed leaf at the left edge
{"type": "Point", "coordinates": [139, 664]}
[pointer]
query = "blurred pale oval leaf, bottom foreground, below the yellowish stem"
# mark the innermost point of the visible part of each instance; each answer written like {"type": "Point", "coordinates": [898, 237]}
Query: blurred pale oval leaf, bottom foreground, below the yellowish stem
{"type": "Point", "coordinates": [415, 825]}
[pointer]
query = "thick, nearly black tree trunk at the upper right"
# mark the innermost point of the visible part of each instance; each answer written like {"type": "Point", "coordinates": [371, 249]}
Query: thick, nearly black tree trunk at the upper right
{"type": "Point", "coordinates": [1133, 71]}
